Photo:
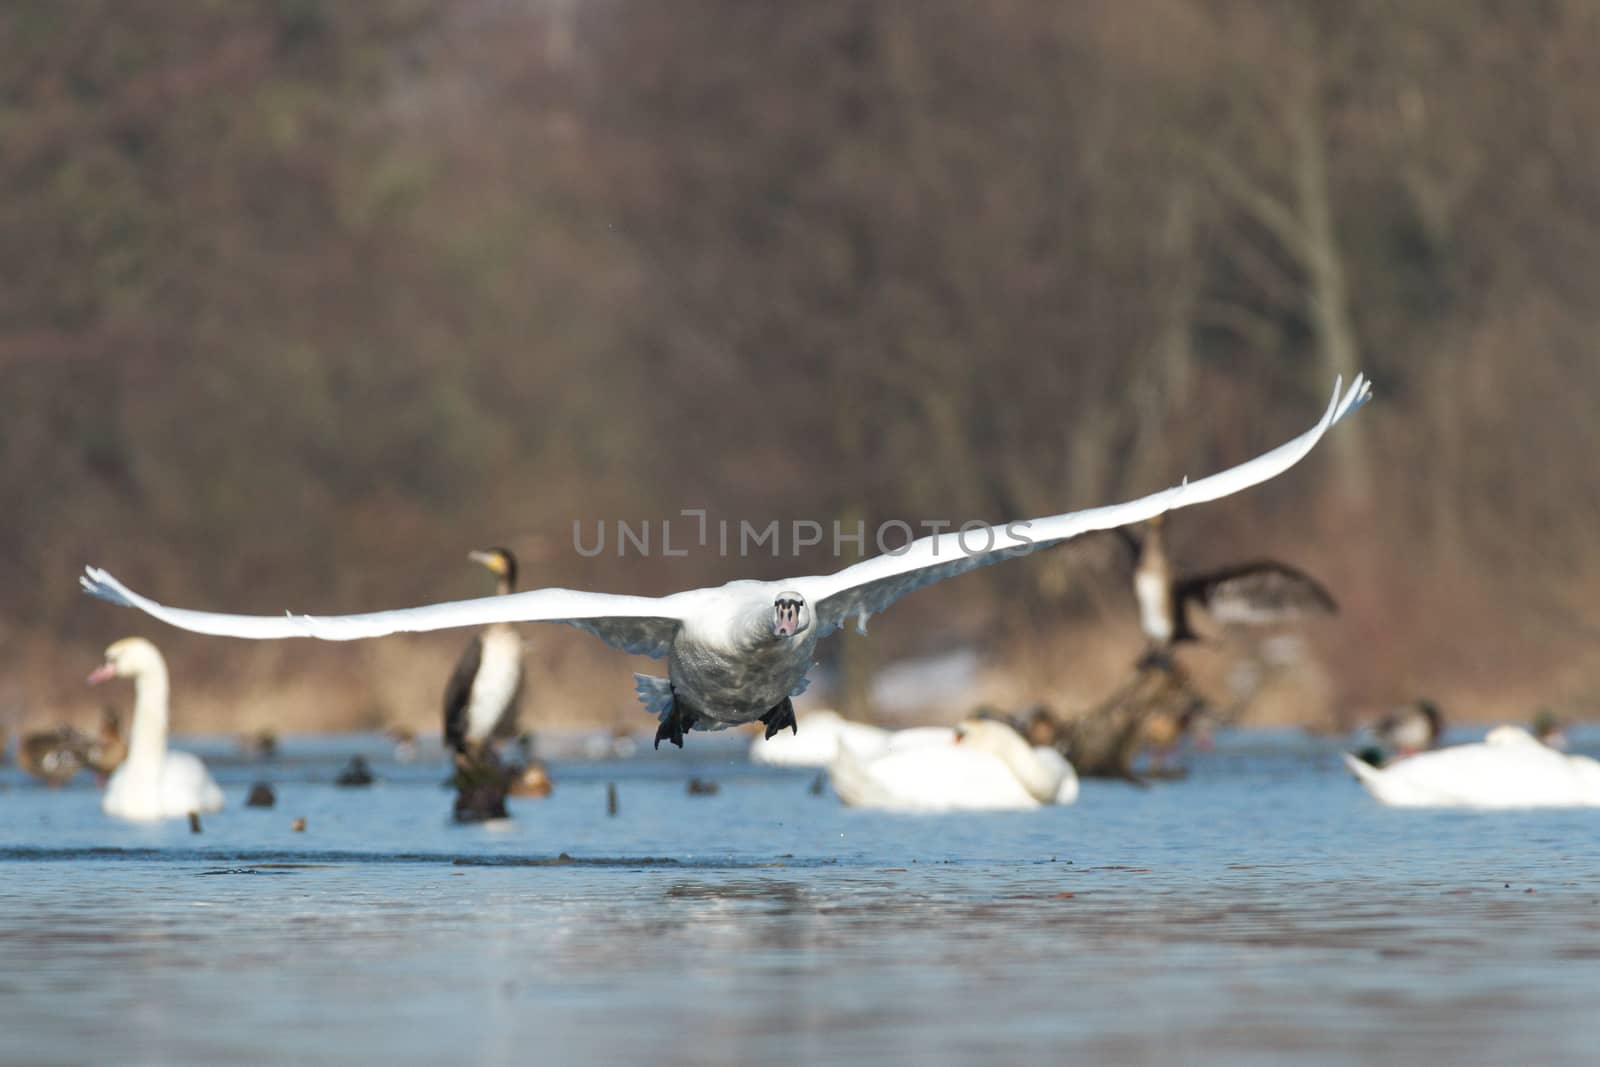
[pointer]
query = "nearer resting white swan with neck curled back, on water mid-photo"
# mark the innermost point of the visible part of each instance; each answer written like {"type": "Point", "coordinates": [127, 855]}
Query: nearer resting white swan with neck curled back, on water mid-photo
{"type": "Point", "coordinates": [988, 767]}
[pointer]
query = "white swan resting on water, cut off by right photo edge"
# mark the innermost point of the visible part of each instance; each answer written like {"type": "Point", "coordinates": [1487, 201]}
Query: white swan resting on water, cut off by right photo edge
{"type": "Point", "coordinates": [1510, 769]}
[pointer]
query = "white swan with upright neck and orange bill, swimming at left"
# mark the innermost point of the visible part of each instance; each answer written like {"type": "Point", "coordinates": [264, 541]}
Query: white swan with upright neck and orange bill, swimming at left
{"type": "Point", "coordinates": [153, 783]}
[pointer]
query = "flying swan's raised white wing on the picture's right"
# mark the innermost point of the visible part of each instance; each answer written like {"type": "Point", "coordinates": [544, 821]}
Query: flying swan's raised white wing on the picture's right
{"type": "Point", "coordinates": [873, 586]}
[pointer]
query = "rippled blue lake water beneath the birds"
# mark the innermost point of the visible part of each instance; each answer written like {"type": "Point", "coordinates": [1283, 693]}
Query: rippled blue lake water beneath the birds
{"type": "Point", "coordinates": [1263, 911]}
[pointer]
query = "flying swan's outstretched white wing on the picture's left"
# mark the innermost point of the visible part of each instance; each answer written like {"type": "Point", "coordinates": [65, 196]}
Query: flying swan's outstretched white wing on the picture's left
{"type": "Point", "coordinates": [636, 625]}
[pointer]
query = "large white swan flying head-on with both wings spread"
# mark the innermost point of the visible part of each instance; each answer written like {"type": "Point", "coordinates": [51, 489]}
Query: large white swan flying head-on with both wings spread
{"type": "Point", "coordinates": [738, 653]}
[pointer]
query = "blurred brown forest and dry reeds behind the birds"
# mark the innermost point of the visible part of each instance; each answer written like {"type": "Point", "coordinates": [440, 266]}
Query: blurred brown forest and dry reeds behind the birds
{"type": "Point", "coordinates": [303, 300]}
